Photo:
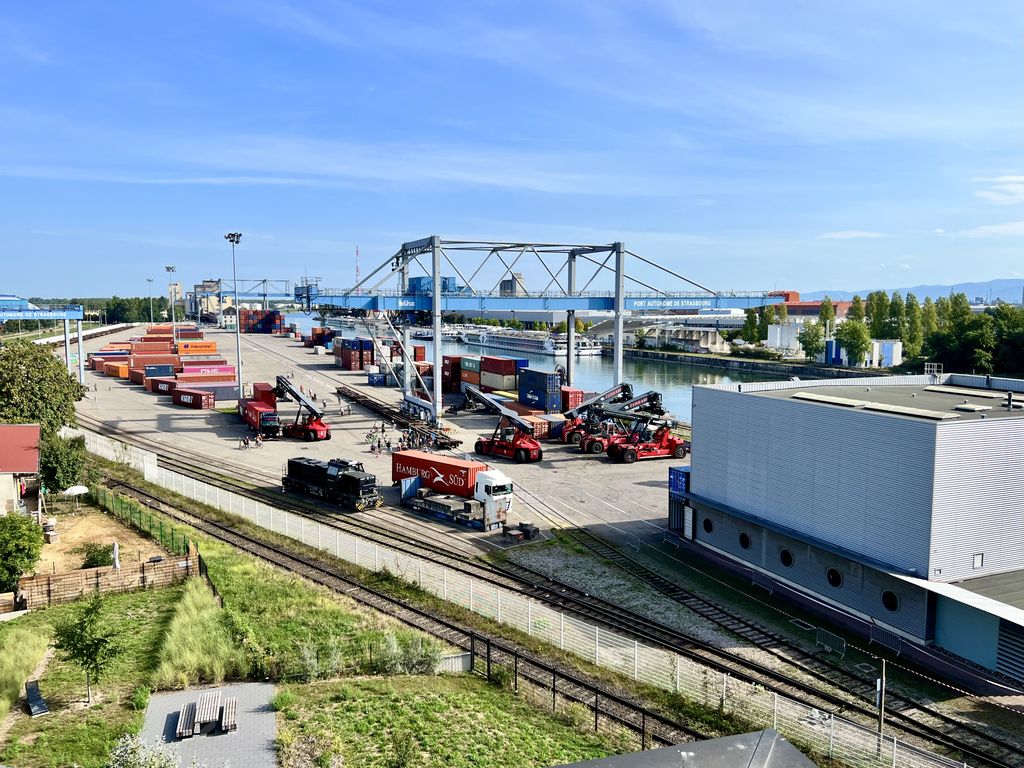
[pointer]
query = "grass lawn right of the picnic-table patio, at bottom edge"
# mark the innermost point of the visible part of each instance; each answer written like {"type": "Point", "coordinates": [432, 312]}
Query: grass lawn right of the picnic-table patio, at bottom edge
{"type": "Point", "coordinates": [452, 722]}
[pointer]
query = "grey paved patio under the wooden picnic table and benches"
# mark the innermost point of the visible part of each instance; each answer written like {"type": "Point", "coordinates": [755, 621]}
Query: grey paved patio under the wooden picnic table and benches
{"type": "Point", "coordinates": [250, 747]}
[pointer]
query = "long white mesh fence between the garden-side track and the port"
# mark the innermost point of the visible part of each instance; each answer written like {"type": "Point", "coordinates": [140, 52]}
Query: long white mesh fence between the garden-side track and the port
{"type": "Point", "coordinates": [836, 738]}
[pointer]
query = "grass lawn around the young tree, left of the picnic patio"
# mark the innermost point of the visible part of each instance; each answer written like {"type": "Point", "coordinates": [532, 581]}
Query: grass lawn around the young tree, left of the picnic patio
{"type": "Point", "coordinates": [74, 734]}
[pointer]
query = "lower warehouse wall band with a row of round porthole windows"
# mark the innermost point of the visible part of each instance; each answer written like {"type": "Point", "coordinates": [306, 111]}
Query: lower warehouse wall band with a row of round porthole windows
{"type": "Point", "coordinates": [862, 587]}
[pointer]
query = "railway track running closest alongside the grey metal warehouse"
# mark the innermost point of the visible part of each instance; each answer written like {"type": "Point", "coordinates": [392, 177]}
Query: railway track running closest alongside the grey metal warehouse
{"type": "Point", "coordinates": [915, 717]}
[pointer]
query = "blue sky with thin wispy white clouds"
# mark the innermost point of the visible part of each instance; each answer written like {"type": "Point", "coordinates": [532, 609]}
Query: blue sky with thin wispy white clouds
{"type": "Point", "coordinates": [803, 145]}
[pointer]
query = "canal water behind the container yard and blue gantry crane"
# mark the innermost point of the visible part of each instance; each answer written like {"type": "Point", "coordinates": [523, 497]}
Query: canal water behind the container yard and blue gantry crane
{"type": "Point", "coordinates": [674, 380]}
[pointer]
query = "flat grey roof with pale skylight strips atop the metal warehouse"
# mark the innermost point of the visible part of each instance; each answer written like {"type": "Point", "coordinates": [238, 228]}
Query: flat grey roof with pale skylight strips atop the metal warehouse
{"type": "Point", "coordinates": [941, 403]}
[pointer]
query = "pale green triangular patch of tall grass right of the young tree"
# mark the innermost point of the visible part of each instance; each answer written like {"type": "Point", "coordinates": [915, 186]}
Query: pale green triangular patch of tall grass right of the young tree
{"type": "Point", "coordinates": [198, 647]}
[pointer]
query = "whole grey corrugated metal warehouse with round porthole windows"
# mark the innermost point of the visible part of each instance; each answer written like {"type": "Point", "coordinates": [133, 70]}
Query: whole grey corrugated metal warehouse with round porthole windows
{"type": "Point", "coordinates": [893, 505]}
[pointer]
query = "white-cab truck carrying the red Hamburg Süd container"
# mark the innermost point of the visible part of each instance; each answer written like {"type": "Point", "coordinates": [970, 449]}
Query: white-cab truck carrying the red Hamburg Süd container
{"type": "Point", "coordinates": [465, 492]}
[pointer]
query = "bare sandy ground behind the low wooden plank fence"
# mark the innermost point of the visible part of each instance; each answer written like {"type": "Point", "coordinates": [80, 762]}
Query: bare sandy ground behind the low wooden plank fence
{"type": "Point", "coordinates": [93, 526]}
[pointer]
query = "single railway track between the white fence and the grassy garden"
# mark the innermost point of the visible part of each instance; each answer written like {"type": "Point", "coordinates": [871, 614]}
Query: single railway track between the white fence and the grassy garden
{"type": "Point", "coordinates": [655, 730]}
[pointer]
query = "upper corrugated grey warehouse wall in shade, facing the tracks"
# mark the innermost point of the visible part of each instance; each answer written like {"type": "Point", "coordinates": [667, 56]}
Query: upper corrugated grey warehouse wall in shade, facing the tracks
{"type": "Point", "coordinates": [857, 480]}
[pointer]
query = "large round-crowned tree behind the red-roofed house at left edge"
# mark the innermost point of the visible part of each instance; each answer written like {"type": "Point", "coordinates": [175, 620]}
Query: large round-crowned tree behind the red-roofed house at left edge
{"type": "Point", "coordinates": [36, 389]}
